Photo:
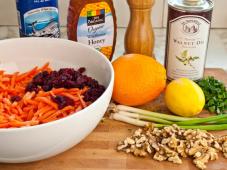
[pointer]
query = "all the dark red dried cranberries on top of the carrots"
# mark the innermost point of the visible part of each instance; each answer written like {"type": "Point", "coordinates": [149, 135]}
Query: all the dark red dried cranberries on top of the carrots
{"type": "Point", "coordinates": [66, 78]}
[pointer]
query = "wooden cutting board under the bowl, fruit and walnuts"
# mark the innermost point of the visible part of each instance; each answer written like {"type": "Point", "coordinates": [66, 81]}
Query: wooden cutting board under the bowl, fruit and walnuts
{"type": "Point", "coordinates": [97, 151]}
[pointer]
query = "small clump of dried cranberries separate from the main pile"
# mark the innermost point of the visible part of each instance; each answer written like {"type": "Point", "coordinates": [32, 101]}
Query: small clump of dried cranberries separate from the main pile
{"type": "Point", "coordinates": [63, 101]}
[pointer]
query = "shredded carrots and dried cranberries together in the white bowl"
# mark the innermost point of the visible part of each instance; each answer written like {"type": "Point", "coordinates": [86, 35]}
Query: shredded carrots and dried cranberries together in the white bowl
{"type": "Point", "coordinates": [42, 95]}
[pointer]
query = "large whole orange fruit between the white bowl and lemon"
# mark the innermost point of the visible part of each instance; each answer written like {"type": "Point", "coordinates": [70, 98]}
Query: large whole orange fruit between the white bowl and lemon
{"type": "Point", "coordinates": [138, 79]}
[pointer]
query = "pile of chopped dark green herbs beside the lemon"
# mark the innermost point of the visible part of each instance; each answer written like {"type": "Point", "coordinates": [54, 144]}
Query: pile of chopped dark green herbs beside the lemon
{"type": "Point", "coordinates": [215, 94]}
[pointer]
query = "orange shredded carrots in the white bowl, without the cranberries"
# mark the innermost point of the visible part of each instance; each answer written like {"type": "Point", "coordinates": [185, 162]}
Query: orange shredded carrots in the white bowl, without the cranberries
{"type": "Point", "coordinates": [33, 108]}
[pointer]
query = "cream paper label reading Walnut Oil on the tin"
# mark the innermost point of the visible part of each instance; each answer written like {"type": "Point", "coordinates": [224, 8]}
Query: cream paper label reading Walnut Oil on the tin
{"type": "Point", "coordinates": [187, 47]}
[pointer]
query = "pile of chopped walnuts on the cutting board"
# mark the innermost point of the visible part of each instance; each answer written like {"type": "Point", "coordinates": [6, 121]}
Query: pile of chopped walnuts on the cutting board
{"type": "Point", "coordinates": [172, 143]}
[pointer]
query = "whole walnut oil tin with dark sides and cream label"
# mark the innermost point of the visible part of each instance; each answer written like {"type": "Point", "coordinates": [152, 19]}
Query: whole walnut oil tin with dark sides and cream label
{"type": "Point", "coordinates": [187, 38]}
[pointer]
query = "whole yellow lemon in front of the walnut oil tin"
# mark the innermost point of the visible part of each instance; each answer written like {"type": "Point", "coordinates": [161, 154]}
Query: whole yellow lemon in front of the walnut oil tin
{"type": "Point", "coordinates": [184, 97]}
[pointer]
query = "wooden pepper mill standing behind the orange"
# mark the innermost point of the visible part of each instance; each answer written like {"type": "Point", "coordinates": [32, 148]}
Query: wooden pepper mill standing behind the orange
{"type": "Point", "coordinates": [139, 37]}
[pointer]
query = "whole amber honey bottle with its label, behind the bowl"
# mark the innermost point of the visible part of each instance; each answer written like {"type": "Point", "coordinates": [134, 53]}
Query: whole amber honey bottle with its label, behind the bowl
{"type": "Point", "coordinates": [93, 22]}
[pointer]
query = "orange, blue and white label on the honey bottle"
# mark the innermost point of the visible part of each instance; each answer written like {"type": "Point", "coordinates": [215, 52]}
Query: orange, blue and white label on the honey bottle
{"type": "Point", "coordinates": [96, 27]}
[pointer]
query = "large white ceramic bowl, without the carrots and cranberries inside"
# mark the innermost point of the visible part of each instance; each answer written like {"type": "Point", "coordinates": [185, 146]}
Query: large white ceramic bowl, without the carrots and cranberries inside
{"type": "Point", "coordinates": [43, 141]}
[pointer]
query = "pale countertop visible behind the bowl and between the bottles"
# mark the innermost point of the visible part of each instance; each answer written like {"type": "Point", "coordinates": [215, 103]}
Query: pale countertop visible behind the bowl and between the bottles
{"type": "Point", "coordinates": [217, 49]}
